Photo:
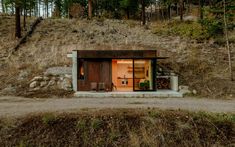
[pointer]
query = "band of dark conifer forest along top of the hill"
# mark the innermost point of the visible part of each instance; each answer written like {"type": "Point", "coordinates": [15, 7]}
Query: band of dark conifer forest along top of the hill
{"type": "Point", "coordinates": [209, 13]}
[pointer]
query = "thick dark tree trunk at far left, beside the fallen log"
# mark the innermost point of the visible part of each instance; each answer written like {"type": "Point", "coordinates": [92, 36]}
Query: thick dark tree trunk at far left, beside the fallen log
{"type": "Point", "coordinates": [17, 21]}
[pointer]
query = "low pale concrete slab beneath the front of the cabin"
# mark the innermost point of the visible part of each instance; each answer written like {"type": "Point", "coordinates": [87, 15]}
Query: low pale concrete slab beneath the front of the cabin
{"type": "Point", "coordinates": [155, 94]}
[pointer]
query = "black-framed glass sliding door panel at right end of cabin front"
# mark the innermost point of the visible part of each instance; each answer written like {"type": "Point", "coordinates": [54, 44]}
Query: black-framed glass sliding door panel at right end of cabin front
{"type": "Point", "coordinates": [143, 75]}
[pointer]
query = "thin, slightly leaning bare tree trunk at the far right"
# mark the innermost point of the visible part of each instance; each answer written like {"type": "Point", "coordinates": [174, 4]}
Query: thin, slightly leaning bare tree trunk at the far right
{"type": "Point", "coordinates": [227, 42]}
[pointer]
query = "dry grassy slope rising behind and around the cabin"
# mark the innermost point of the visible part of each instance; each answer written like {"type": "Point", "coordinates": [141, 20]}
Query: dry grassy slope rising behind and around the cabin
{"type": "Point", "coordinates": [202, 65]}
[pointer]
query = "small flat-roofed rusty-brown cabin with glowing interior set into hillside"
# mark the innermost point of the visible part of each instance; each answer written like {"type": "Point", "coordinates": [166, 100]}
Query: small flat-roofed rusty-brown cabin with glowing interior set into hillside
{"type": "Point", "coordinates": [115, 70]}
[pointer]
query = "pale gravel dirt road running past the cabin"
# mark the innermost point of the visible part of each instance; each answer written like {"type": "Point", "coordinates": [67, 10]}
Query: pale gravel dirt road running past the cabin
{"type": "Point", "coordinates": [17, 106]}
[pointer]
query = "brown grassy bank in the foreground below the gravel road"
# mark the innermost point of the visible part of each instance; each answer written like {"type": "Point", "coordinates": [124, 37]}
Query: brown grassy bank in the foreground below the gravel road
{"type": "Point", "coordinates": [125, 127]}
